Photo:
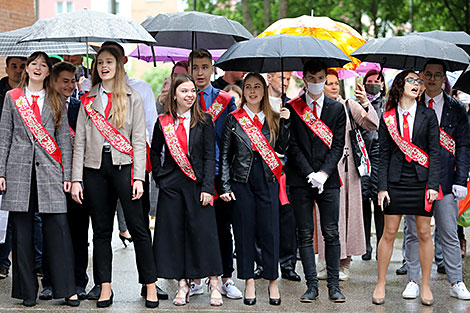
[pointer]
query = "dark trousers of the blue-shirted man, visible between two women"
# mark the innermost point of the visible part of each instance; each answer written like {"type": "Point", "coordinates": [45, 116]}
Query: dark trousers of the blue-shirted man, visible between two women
{"type": "Point", "coordinates": [223, 215]}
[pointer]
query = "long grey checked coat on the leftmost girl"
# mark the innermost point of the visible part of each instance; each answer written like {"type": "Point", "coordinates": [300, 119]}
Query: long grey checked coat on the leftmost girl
{"type": "Point", "coordinates": [19, 152]}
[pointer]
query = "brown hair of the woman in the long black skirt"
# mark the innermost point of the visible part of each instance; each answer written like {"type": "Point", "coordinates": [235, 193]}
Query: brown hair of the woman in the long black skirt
{"type": "Point", "coordinates": [197, 114]}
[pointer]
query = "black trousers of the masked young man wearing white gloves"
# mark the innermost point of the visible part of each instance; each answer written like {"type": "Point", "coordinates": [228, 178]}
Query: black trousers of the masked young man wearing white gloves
{"type": "Point", "coordinates": [302, 199]}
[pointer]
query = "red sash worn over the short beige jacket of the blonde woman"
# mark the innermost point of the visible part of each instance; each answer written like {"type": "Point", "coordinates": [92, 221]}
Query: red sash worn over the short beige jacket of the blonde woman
{"type": "Point", "coordinates": [111, 134]}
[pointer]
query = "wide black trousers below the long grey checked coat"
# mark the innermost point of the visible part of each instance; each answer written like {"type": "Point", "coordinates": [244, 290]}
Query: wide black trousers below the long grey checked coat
{"type": "Point", "coordinates": [57, 251]}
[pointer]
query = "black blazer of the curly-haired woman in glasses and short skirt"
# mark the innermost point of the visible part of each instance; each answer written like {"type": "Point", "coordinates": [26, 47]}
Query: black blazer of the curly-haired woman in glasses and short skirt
{"type": "Point", "coordinates": [425, 136]}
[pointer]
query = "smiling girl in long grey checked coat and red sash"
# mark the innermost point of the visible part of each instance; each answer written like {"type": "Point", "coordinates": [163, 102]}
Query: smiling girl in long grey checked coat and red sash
{"type": "Point", "coordinates": [35, 171]}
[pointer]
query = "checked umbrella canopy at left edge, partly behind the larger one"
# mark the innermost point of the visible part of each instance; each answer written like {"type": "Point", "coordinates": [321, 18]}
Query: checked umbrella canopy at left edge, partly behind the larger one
{"type": "Point", "coordinates": [9, 46]}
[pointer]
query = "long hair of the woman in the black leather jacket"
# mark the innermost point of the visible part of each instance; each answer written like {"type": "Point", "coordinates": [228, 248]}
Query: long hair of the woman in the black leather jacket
{"type": "Point", "coordinates": [271, 117]}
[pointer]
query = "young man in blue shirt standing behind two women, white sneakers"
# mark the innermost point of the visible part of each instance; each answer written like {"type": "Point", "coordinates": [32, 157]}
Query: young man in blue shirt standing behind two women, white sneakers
{"type": "Point", "coordinates": [218, 104]}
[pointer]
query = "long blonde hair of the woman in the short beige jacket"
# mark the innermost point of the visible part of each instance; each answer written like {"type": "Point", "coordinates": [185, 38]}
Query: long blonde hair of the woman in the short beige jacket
{"type": "Point", "coordinates": [119, 86]}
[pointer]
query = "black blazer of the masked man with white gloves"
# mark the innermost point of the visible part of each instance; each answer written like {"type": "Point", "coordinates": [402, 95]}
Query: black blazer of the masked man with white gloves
{"type": "Point", "coordinates": [308, 153]}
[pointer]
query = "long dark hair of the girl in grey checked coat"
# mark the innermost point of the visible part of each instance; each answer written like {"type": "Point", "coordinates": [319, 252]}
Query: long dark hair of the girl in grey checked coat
{"type": "Point", "coordinates": [52, 95]}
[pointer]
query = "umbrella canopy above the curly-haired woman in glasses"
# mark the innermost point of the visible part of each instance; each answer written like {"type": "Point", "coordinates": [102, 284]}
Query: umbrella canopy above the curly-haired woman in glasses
{"type": "Point", "coordinates": [412, 52]}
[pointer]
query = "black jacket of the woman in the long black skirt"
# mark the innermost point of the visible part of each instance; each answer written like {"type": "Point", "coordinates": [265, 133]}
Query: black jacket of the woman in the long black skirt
{"type": "Point", "coordinates": [201, 154]}
